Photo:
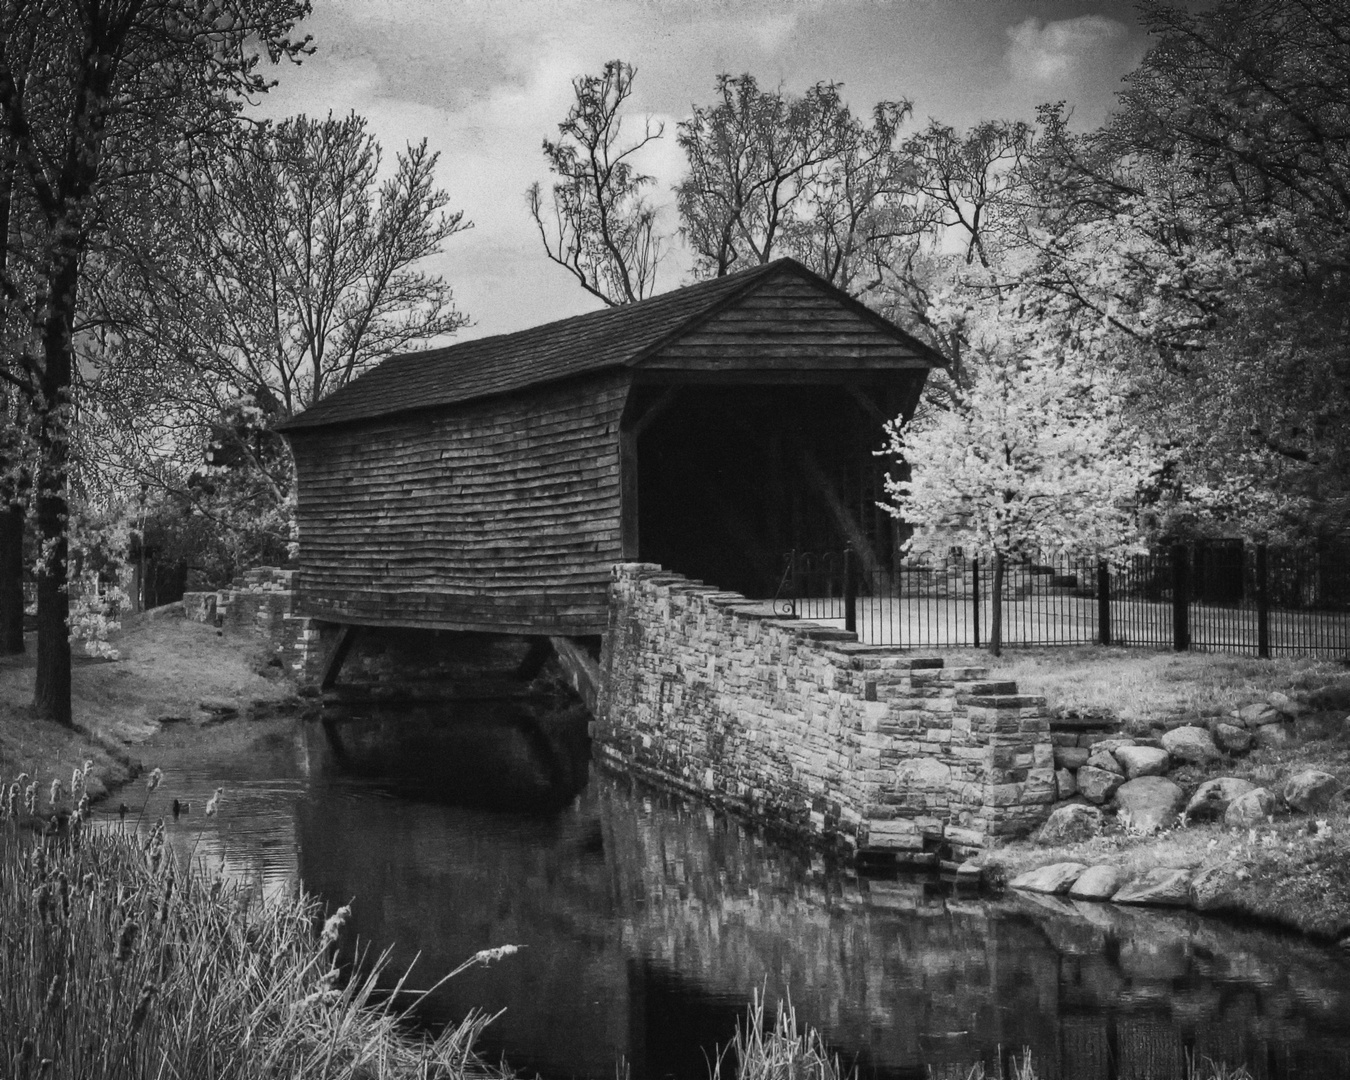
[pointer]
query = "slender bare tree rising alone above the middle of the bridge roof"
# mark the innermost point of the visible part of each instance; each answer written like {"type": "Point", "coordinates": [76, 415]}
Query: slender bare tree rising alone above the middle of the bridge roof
{"type": "Point", "coordinates": [600, 225]}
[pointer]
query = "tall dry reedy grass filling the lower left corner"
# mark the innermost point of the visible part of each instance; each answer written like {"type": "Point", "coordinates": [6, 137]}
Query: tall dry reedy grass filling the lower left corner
{"type": "Point", "coordinates": [118, 962]}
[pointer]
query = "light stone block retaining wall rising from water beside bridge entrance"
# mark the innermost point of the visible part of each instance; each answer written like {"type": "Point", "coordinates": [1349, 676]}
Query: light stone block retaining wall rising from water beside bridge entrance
{"type": "Point", "coordinates": [799, 726]}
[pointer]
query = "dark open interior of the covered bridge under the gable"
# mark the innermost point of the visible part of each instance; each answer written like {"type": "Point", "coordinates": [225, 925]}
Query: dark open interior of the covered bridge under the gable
{"type": "Point", "coordinates": [734, 477]}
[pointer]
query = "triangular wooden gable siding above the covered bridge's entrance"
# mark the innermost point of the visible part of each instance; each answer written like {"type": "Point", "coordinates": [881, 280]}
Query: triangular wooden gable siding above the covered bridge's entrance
{"type": "Point", "coordinates": [788, 323]}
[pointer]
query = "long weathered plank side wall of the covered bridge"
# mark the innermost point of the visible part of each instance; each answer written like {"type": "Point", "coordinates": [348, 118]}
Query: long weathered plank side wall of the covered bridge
{"type": "Point", "coordinates": [503, 515]}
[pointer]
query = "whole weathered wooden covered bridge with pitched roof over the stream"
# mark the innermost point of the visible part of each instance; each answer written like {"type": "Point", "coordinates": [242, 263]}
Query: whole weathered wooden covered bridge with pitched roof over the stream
{"type": "Point", "coordinates": [493, 484]}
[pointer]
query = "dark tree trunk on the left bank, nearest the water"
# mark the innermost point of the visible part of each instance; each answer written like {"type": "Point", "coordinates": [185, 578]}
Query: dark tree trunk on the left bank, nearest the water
{"type": "Point", "coordinates": [52, 691]}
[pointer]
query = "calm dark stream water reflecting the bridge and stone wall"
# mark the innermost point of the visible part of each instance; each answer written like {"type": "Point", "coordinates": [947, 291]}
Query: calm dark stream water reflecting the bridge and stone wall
{"type": "Point", "coordinates": [647, 924]}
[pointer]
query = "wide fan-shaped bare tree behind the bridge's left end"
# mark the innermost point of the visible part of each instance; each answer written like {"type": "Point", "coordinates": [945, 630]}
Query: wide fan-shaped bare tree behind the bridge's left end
{"type": "Point", "coordinates": [290, 271]}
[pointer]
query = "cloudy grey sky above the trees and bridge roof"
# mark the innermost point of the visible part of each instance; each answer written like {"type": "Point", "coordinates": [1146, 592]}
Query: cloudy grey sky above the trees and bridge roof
{"type": "Point", "coordinates": [487, 82]}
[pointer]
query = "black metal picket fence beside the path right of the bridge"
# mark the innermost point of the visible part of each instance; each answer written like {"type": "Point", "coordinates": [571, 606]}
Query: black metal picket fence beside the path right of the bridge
{"type": "Point", "coordinates": [1218, 597]}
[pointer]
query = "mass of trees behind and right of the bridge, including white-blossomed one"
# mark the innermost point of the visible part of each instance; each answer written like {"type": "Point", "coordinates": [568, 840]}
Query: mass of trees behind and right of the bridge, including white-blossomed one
{"type": "Point", "coordinates": [1145, 325]}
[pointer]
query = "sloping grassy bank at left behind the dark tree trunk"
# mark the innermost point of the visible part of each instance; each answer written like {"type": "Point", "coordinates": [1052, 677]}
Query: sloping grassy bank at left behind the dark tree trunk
{"type": "Point", "coordinates": [167, 670]}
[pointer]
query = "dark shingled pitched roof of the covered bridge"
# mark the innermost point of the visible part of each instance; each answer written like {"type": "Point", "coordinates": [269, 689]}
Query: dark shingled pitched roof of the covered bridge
{"type": "Point", "coordinates": [588, 344]}
